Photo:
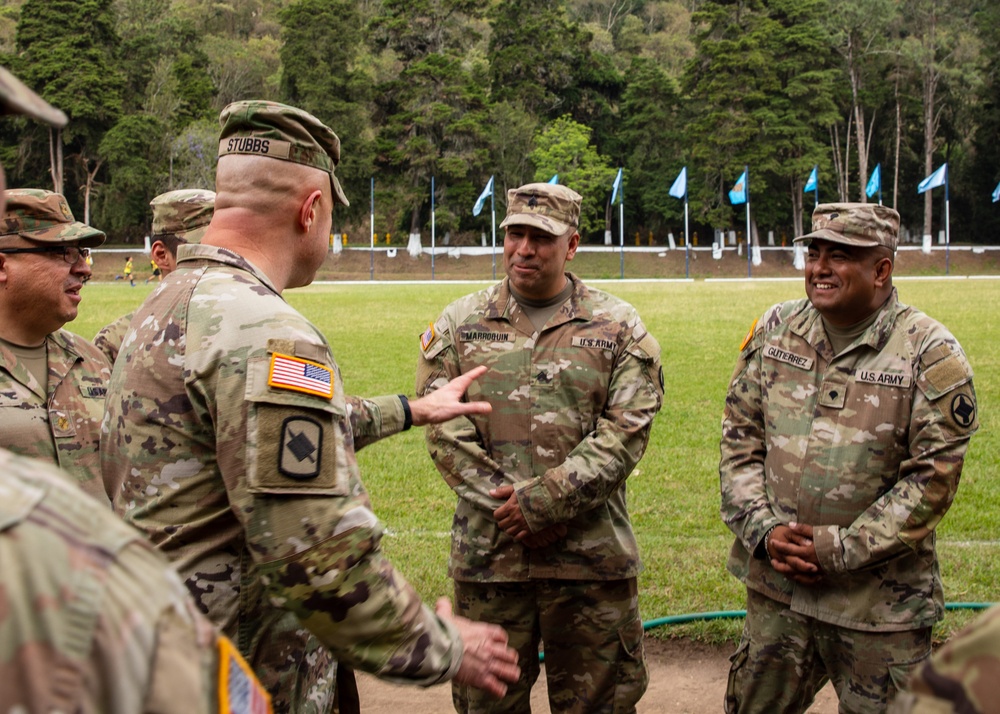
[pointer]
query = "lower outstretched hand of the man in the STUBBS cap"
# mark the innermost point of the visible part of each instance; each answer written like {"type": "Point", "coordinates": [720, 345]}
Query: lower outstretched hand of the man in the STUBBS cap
{"type": "Point", "coordinates": [488, 663]}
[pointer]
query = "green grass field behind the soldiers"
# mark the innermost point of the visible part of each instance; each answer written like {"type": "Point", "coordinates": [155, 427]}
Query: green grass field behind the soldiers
{"type": "Point", "coordinates": [673, 493]}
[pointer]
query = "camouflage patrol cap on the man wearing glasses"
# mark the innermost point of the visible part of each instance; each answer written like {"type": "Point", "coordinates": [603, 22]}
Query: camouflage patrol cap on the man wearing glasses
{"type": "Point", "coordinates": [44, 216]}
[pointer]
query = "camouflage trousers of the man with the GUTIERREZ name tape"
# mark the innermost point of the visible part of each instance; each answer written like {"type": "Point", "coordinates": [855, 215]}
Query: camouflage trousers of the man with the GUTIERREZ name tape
{"type": "Point", "coordinates": [785, 658]}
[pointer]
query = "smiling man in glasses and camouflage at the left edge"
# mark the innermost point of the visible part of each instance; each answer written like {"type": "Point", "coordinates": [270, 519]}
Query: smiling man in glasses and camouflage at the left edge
{"type": "Point", "coordinates": [52, 382]}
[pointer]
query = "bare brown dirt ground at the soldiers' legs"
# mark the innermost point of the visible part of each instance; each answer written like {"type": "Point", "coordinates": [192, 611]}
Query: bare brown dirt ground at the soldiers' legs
{"type": "Point", "coordinates": [685, 677]}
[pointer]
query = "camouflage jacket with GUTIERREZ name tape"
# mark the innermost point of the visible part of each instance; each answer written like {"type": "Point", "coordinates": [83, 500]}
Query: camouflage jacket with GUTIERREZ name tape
{"type": "Point", "coordinates": [866, 447]}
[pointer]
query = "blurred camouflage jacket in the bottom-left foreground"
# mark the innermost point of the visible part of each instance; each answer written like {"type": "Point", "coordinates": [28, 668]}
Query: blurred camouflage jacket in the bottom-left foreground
{"type": "Point", "coordinates": [93, 618]}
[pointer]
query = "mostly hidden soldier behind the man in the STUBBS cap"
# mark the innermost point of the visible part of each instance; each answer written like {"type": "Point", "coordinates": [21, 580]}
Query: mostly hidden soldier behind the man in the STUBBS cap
{"type": "Point", "coordinates": [179, 217]}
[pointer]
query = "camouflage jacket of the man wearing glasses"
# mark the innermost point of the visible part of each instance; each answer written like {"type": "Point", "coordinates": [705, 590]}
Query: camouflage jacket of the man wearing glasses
{"type": "Point", "coordinates": [62, 427]}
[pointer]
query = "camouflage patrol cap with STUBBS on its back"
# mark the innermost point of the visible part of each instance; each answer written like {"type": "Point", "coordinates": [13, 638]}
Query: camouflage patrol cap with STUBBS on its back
{"type": "Point", "coordinates": [278, 131]}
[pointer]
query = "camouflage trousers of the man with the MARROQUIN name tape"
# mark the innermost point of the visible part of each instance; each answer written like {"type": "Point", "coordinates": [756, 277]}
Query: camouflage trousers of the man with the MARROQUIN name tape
{"type": "Point", "coordinates": [592, 634]}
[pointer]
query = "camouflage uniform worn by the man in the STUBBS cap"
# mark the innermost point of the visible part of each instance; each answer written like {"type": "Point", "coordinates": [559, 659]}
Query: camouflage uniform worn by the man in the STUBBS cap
{"type": "Point", "coordinates": [252, 486]}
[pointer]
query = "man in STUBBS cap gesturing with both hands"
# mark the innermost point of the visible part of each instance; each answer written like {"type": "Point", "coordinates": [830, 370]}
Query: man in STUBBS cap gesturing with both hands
{"type": "Point", "coordinates": [232, 443]}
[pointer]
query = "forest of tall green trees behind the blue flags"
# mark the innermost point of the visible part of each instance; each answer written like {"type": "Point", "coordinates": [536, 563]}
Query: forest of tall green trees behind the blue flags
{"type": "Point", "coordinates": [461, 90]}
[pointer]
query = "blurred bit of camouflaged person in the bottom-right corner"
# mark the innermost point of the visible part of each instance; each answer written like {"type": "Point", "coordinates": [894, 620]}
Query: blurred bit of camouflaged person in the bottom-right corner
{"type": "Point", "coordinates": [962, 676]}
